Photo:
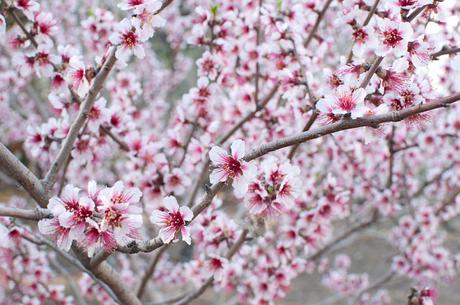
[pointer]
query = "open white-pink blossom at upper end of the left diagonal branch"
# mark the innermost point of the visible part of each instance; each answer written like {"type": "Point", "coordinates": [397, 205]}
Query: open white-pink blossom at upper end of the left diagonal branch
{"type": "Point", "coordinates": [129, 41]}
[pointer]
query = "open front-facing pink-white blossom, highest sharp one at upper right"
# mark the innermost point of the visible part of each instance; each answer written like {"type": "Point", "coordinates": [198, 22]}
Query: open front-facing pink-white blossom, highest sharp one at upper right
{"type": "Point", "coordinates": [393, 38]}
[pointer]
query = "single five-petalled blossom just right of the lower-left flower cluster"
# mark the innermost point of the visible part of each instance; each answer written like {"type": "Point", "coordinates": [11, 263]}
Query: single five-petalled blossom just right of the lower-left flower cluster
{"type": "Point", "coordinates": [172, 220]}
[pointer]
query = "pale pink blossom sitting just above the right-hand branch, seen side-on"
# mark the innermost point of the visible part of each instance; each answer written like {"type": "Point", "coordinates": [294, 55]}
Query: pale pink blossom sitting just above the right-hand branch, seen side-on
{"type": "Point", "coordinates": [346, 100]}
